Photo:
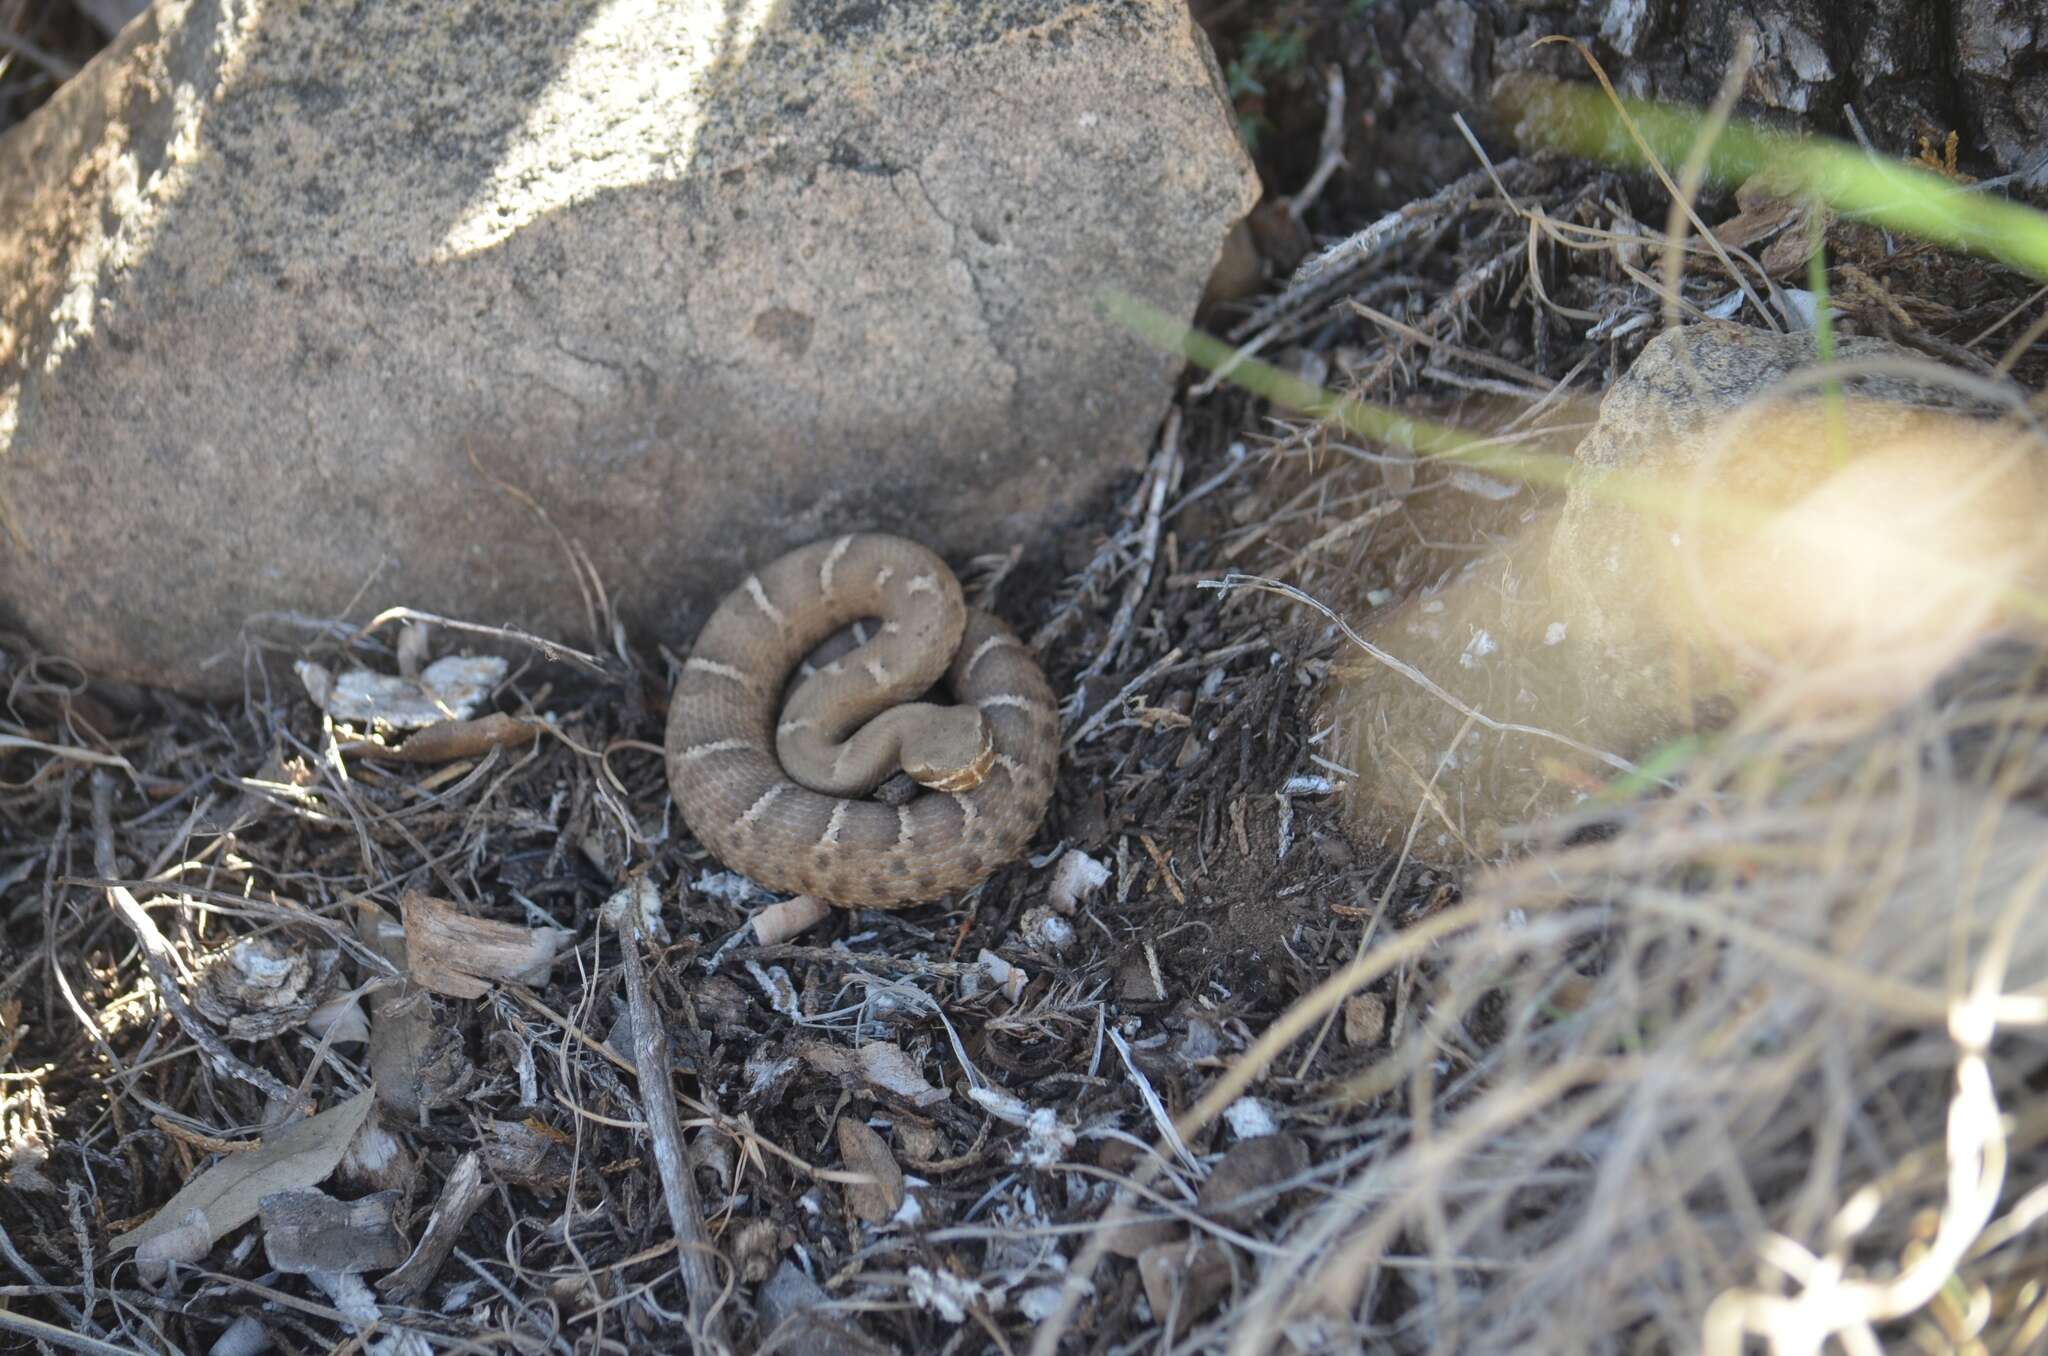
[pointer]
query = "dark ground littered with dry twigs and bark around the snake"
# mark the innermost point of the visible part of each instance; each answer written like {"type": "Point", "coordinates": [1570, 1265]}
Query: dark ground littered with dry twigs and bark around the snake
{"type": "Point", "coordinates": [1009, 1072]}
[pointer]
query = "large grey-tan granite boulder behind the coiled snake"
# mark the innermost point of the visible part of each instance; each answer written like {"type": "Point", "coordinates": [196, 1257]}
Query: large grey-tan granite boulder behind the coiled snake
{"type": "Point", "coordinates": [310, 308]}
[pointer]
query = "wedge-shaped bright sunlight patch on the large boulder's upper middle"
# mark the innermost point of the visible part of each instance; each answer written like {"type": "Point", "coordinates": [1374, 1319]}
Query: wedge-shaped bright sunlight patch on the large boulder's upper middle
{"type": "Point", "coordinates": [624, 110]}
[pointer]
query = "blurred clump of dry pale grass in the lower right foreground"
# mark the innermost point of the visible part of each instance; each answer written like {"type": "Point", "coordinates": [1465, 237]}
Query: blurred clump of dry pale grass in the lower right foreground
{"type": "Point", "coordinates": [1754, 1058]}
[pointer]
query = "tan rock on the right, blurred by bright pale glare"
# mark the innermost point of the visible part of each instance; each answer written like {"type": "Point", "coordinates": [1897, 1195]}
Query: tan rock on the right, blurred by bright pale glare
{"type": "Point", "coordinates": [1723, 525]}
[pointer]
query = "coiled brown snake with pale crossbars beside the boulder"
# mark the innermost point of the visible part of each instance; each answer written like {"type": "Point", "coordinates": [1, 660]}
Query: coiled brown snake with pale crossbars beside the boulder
{"type": "Point", "coordinates": [775, 788]}
